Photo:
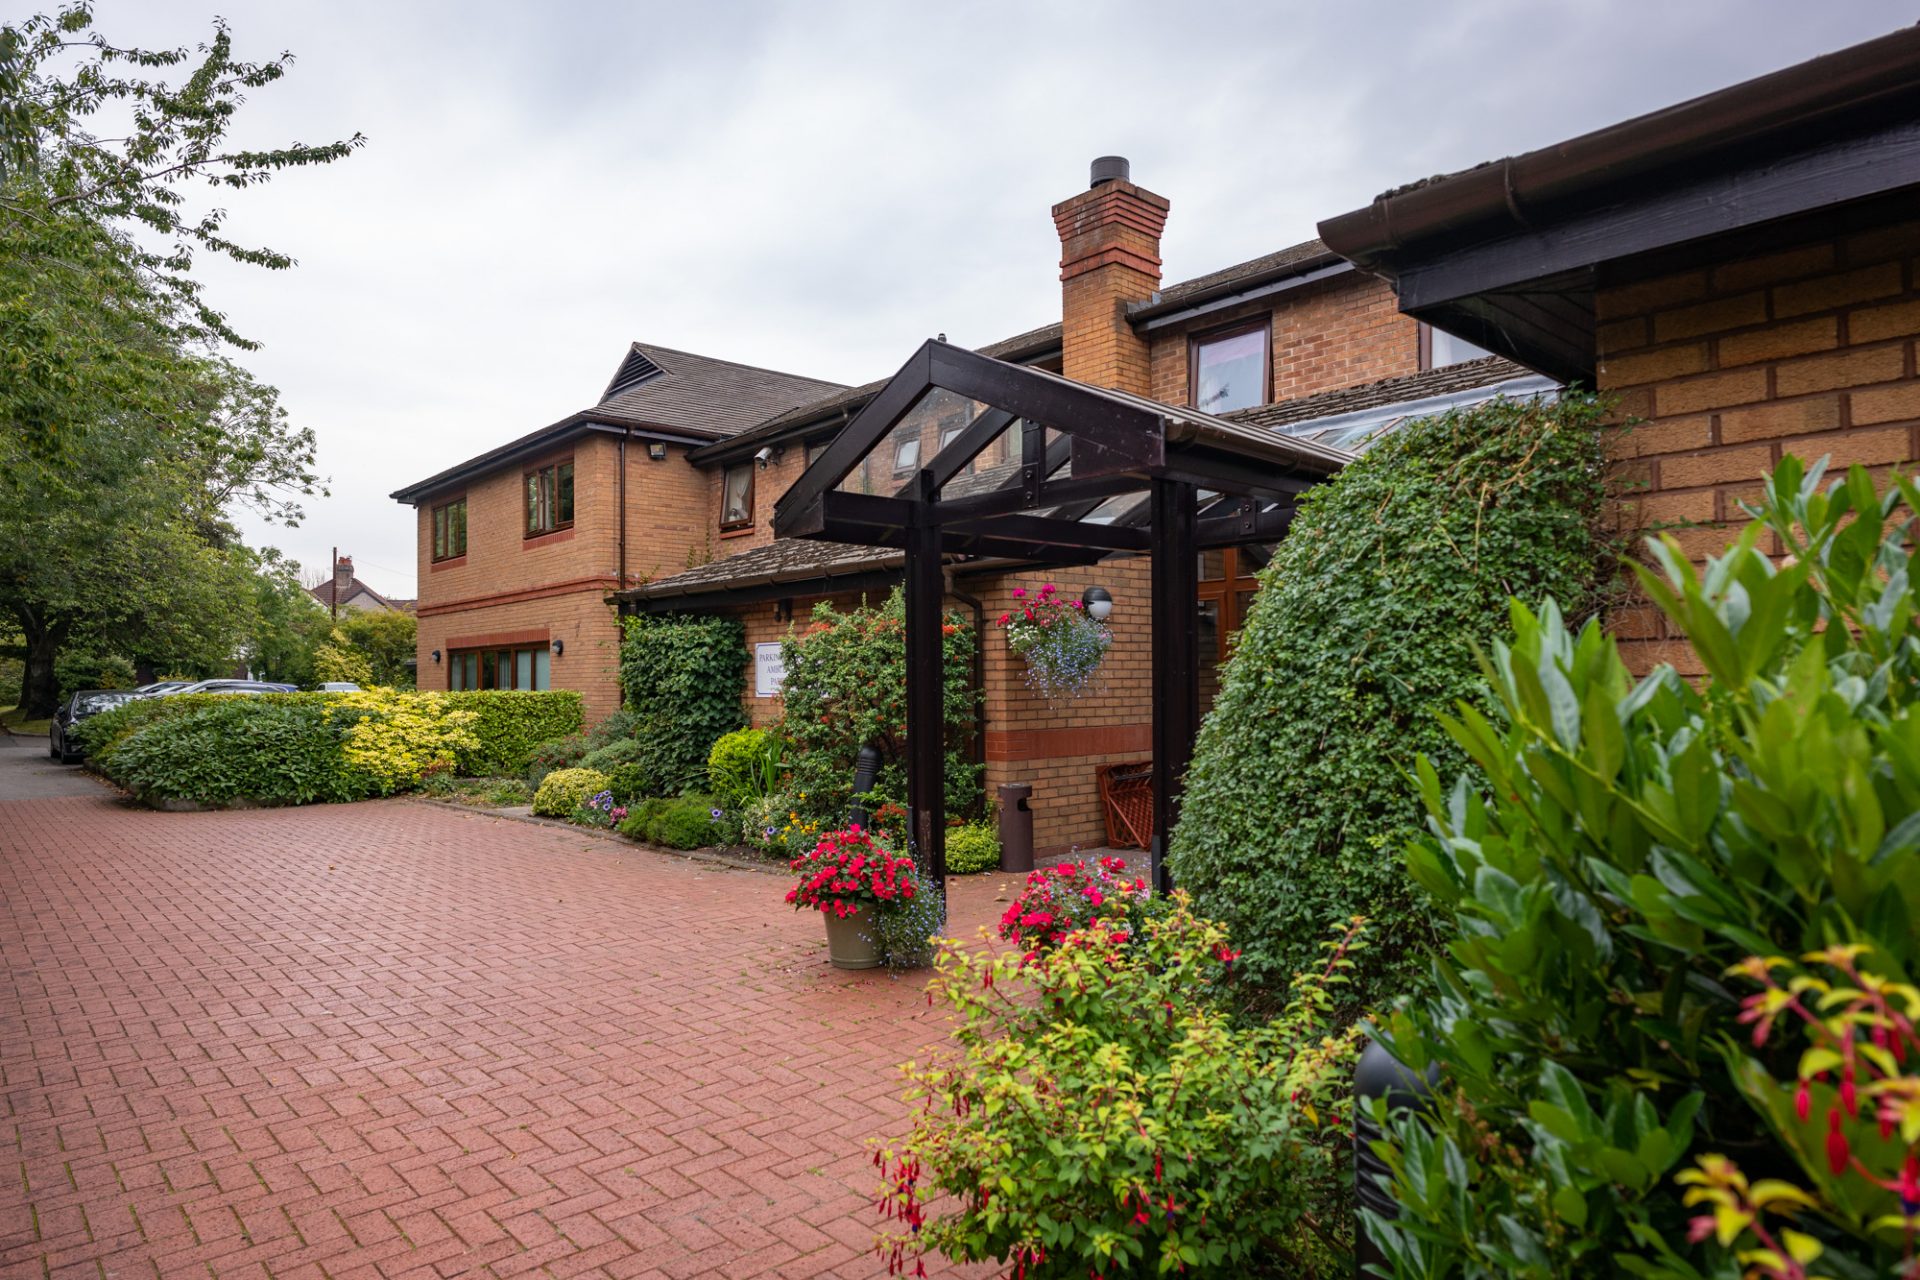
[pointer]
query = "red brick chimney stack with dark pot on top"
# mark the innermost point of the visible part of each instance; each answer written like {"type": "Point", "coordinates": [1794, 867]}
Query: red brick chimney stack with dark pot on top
{"type": "Point", "coordinates": [1109, 258]}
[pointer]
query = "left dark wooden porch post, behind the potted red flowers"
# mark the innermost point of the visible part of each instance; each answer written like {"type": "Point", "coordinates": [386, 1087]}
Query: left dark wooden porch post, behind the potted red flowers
{"type": "Point", "coordinates": [926, 694]}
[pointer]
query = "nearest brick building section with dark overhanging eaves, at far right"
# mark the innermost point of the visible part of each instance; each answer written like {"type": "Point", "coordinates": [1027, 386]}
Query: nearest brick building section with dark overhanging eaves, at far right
{"type": "Point", "coordinates": [1742, 272]}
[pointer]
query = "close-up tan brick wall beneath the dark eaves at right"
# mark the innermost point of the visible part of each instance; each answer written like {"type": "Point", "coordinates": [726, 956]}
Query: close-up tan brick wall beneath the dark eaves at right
{"type": "Point", "coordinates": [1737, 364]}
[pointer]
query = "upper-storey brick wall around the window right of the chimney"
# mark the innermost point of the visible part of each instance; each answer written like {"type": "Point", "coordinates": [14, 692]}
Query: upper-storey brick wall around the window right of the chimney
{"type": "Point", "coordinates": [1332, 335]}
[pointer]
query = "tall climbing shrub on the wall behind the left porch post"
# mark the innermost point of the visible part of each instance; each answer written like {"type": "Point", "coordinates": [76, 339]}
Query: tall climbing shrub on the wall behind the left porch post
{"type": "Point", "coordinates": [848, 688]}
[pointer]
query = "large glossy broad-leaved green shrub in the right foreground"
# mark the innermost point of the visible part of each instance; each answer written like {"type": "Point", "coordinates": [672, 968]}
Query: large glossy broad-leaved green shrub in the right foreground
{"type": "Point", "coordinates": [1620, 872]}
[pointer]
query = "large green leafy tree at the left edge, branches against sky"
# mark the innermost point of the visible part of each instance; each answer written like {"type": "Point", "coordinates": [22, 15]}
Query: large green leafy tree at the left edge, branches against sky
{"type": "Point", "coordinates": [126, 439]}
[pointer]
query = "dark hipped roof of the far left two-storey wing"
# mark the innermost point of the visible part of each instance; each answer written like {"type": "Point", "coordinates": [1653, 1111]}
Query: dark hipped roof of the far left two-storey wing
{"type": "Point", "coordinates": [660, 392]}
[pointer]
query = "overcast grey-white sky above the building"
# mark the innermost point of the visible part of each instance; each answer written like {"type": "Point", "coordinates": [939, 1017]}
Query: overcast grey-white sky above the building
{"type": "Point", "coordinates": [819, 187]}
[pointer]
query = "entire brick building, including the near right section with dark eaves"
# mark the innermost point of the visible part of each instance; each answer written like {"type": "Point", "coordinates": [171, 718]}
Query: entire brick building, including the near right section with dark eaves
{"type": "Point", "coordinates": [1740, 270]}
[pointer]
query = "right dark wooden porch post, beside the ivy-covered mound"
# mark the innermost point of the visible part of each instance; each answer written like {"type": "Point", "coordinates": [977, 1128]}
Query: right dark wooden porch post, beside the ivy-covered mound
{"type": "Point", "coordinates": [1174, 511]}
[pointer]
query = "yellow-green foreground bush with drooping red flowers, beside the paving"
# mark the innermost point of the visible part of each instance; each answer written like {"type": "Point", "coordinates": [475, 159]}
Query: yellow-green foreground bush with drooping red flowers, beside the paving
{"type": "Point", "coordinates": [1105, 1116]}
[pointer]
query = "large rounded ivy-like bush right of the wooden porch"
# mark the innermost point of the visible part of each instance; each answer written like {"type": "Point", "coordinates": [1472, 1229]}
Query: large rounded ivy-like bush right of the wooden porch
{"type": "Point", "coordinates": [1299, 799]}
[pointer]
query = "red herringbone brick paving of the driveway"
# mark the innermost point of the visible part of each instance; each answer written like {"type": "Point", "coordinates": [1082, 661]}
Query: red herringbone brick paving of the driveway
{"type": "Point", "coordinates": [398, 1041]}
